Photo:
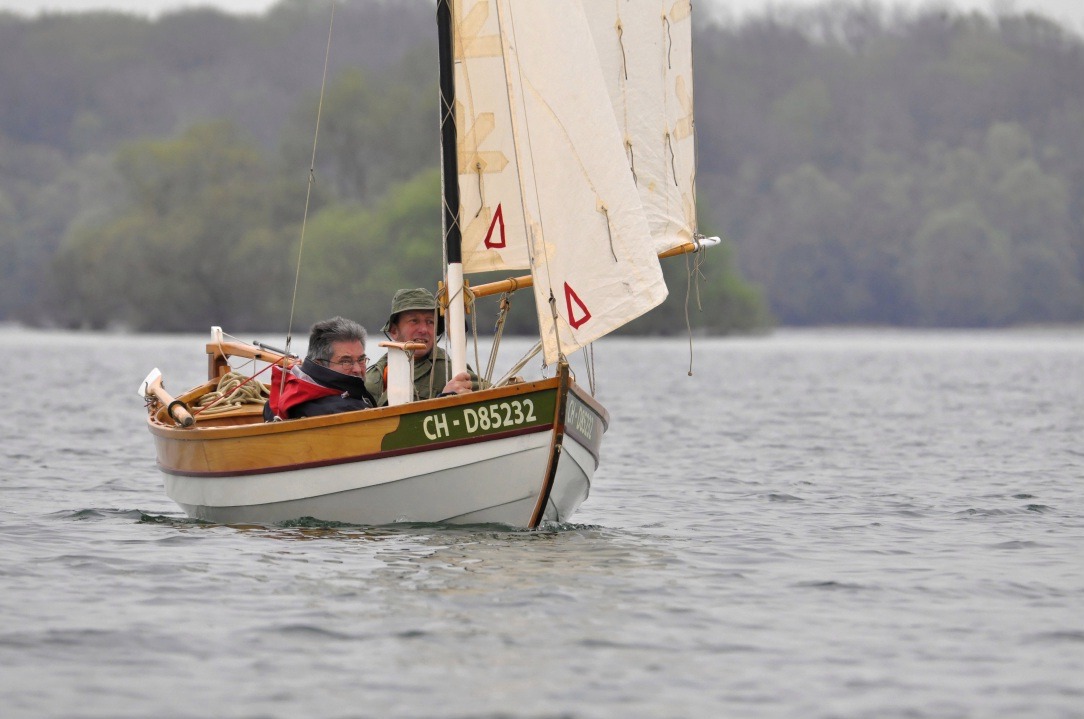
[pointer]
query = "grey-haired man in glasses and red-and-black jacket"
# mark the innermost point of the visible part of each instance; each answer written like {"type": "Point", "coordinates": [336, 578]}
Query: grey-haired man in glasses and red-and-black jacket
{"type": "Point", "coordinates": [331, 380]}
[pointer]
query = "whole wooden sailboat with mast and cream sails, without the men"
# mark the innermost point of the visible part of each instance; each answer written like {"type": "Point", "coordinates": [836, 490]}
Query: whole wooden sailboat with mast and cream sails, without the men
{"type": "Point", "coordinates": [567, 151]}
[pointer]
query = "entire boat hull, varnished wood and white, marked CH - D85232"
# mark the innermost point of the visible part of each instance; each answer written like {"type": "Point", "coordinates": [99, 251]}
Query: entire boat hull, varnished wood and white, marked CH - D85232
{"type": "Point", "coordinates": [518, 456]}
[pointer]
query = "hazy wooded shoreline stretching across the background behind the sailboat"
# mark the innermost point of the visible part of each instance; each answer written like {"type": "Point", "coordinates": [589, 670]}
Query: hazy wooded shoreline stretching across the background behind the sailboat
{"type": "Point", "coordinates": [864, 166]}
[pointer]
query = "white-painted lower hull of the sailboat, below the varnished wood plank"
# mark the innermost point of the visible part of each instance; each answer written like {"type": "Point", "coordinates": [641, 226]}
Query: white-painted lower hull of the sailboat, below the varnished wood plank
{"type": "Point", "coordinates": [476, 484]}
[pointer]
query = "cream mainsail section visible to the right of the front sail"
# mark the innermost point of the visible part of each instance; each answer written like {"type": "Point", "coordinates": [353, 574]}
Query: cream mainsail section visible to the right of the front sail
{"type": "Point", "coordinates": [646, 48]}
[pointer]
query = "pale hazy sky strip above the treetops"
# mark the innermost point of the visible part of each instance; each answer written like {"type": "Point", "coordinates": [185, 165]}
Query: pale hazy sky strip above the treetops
{"type": "Point", "coordinates": [1070, 12]}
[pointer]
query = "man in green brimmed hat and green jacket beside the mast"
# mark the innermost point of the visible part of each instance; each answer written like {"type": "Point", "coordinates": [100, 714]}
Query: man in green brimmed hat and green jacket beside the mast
{"type": "Point", "coordinates": [415, 318]}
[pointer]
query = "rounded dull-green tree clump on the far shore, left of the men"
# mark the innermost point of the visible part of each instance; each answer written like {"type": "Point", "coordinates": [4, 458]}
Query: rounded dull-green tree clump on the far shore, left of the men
{"type": "Point", "coordinates": [190, 250]}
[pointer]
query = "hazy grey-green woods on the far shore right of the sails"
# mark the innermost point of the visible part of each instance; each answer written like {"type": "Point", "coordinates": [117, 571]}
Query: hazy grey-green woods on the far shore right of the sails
{"type": "Point", "coordinates": [907, 170]}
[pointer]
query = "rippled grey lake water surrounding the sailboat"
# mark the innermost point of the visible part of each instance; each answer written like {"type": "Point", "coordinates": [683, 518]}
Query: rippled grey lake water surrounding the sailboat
{"type": "Point", "coordinates": [817, 524]}
